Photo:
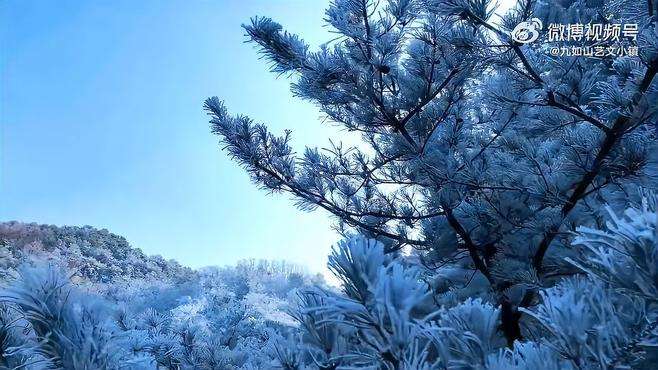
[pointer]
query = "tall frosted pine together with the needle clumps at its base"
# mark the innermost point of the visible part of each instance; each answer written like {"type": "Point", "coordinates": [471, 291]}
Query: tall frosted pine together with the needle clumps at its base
{"type": "Point", "coordinates": [485, 188]}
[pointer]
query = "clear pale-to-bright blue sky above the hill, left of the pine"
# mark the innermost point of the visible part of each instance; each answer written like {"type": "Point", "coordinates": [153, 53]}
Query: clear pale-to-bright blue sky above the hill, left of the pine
{"type": "Point", "coordinates": [102, 125]}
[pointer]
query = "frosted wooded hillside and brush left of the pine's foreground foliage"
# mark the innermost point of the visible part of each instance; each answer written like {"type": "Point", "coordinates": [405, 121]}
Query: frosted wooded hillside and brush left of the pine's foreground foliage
{"type": "Point", "coordinates": [83, 298]}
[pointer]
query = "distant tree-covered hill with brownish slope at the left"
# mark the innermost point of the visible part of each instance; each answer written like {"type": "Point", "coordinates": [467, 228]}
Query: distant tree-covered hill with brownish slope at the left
{"type": "Point", "coordinates": [95, 255]}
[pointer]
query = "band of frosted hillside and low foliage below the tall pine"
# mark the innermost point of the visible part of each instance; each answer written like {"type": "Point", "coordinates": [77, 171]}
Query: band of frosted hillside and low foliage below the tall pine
{"type": "Point", "coordinates": [263, 315]}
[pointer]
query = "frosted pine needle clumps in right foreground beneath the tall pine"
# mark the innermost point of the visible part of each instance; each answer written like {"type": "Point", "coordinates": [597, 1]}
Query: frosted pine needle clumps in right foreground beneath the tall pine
{"type": "Point", "coordinates": [587, 321]}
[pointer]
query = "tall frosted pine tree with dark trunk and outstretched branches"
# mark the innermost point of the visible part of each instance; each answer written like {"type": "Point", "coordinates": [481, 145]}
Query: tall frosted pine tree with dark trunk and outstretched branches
{"type": "Point", "coordinates": [480, 154]}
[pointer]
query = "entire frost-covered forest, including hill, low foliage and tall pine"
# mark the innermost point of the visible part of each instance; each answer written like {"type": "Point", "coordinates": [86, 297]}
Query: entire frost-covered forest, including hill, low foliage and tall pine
{"type": "Point", "coordinates": [500, 211]}
